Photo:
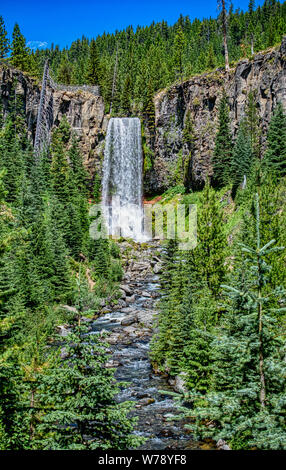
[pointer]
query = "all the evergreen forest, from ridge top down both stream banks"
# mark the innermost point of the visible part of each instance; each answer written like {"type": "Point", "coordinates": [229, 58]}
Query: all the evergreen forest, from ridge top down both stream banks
{"type": "Point", "coordinates": [220, 324]}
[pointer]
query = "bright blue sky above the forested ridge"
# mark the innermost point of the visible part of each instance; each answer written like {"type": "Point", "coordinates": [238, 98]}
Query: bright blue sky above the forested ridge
{"type": "Point", "coordinates": [64, 21]}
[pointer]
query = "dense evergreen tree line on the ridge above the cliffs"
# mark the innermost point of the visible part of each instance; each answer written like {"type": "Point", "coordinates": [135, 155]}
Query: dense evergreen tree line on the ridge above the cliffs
{"type": "Point", "coordinates": [131, 65]}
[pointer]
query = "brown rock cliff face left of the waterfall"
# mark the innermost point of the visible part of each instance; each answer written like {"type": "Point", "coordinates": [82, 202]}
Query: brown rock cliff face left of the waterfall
{"type": "Point", "coordinates": [83, 107]}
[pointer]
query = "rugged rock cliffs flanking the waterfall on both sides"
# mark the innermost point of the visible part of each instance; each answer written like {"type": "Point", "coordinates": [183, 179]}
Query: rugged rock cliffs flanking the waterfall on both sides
{"type": "Point", "coordinates": [84, 109]}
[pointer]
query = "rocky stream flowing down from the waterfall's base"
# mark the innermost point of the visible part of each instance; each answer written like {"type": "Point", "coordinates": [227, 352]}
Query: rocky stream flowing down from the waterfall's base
{"type": "Point", "coordinates": [130, 328]}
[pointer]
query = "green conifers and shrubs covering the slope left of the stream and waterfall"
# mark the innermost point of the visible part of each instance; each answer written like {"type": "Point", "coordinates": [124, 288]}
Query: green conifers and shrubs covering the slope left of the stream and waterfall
{"type": "Point", "coordinates": [43, 230]}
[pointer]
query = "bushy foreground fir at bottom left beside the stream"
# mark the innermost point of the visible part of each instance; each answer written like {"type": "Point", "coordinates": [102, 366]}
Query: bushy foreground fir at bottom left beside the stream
{"type": "Point", "coordinates": [77, 395]}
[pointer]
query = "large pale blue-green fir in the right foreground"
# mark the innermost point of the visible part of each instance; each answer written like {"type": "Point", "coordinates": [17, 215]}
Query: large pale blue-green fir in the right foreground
{"type": "Point", "coordinates": [247, 401]}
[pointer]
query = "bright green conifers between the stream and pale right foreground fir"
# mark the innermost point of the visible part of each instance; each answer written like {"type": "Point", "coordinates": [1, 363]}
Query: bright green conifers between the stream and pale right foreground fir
{"type": "Point", "coordinates": [188, 310]}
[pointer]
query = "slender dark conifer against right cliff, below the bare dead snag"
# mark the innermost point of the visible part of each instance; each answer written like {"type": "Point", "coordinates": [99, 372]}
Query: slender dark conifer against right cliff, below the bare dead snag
{"type": "Point", "coordinates": [222, 156]}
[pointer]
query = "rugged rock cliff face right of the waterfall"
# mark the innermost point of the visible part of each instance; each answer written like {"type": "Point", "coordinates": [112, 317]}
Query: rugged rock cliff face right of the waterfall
{"type": "Point", "coordinates": [265, 74]}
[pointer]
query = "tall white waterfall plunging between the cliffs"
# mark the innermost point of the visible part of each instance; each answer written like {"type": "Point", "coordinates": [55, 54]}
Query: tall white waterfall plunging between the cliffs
{"type": "Point", "coordinates": [122, 179]}
